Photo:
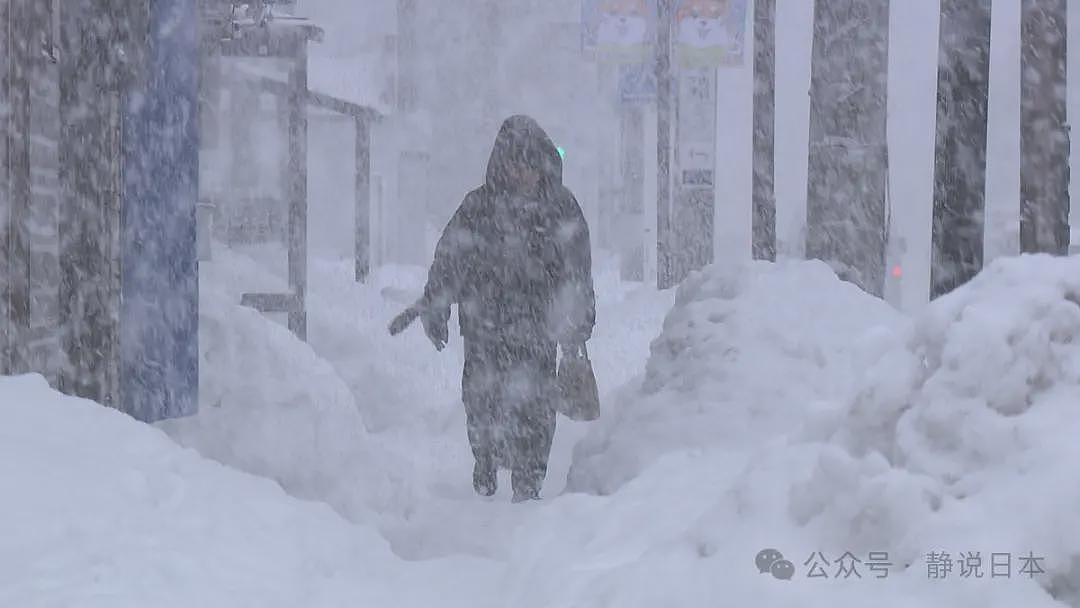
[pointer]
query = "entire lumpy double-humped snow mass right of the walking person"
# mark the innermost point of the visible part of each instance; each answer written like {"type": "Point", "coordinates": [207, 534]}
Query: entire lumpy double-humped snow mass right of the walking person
{"type": "Point", "coordinates": [785, 410]}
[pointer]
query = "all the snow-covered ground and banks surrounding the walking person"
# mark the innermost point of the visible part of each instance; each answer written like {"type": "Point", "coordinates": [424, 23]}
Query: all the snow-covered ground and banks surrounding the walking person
{"type": "Point", "coordinates": [761, 407]}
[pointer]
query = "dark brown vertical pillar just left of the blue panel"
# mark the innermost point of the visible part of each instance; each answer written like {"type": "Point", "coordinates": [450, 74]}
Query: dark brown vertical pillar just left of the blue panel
{"type": "Point", "coordinates": [90, 303]}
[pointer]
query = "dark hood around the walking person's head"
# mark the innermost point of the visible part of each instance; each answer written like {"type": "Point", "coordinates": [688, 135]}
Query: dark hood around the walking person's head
{"type": "Point", "coordinates": [521, 140]}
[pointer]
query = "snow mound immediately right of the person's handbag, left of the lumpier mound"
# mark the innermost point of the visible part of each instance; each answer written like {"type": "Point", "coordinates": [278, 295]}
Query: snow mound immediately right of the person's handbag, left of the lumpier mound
{"type": "Point", "coordinates": [745, 352]}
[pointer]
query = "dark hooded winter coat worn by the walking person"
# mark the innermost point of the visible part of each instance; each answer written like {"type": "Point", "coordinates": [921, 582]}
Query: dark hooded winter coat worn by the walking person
{"type": "Point", "coordinates": [517, 264]}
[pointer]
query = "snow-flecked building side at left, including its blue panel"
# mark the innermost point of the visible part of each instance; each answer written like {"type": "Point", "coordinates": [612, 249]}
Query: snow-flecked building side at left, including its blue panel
{"type": "Point", "coordinates": [98, 200]}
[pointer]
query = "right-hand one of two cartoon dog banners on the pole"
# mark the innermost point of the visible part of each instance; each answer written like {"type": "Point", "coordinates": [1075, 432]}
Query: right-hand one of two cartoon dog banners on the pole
{"type": "Point", "coordinates": [710, 32]}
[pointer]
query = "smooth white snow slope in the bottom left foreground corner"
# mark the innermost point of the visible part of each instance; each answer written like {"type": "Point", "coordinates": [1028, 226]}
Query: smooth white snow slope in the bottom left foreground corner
{"type": "Point", "coordinates": [100, 510]}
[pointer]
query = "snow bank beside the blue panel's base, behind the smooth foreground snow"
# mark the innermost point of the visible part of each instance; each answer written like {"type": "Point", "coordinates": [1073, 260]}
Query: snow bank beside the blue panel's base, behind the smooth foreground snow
{"type": "Point", "coordinates": [273, 408]}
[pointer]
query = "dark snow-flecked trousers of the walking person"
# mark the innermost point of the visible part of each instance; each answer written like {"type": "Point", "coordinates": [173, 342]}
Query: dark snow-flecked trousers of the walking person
{"type": "Point", "coordinates": [508, 388]}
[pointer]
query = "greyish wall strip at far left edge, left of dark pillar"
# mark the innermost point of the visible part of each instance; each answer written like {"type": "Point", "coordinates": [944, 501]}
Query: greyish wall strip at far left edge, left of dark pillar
{"type": "Point", "coordinates": [30, 190]}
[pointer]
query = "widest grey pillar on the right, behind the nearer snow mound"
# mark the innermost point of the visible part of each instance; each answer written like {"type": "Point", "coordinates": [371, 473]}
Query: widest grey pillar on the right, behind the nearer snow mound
{"type": "Point", "coordinates": [848, 165]}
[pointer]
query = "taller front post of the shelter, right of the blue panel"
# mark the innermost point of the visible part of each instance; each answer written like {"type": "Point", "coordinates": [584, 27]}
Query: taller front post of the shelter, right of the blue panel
{"type": "Point", "coordinates": [299, 191]}
